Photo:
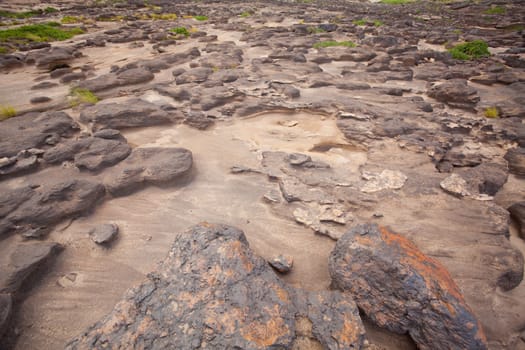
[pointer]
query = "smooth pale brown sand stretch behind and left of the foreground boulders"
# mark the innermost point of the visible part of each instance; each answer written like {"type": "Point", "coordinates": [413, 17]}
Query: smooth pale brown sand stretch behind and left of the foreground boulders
{"type": "Point", "coordinates": [150, 219]}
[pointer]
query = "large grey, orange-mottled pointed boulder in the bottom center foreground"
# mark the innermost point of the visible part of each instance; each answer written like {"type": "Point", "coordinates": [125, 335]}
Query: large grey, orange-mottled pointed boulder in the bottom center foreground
{"type": "Point", "coordinates": [213, 292]}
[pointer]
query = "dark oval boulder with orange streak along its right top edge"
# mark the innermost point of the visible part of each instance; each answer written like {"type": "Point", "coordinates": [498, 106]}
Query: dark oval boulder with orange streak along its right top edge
{"type": "Point", "coordinates": [402, 290]}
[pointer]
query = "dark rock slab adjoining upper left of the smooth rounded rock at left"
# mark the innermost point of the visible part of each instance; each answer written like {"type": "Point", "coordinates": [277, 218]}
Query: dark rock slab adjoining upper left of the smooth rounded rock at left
{"type": "Point", "coordinates": [91, 153]}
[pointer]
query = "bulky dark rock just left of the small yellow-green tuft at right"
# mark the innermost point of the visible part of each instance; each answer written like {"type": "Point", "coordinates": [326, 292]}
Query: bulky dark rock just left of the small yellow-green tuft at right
{"type": "Point", "coordinates": [456, 93]}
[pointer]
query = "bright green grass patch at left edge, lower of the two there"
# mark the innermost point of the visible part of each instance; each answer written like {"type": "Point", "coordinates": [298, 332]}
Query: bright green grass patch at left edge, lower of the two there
{"type": "Point", "coordinates": [50, 31]}
